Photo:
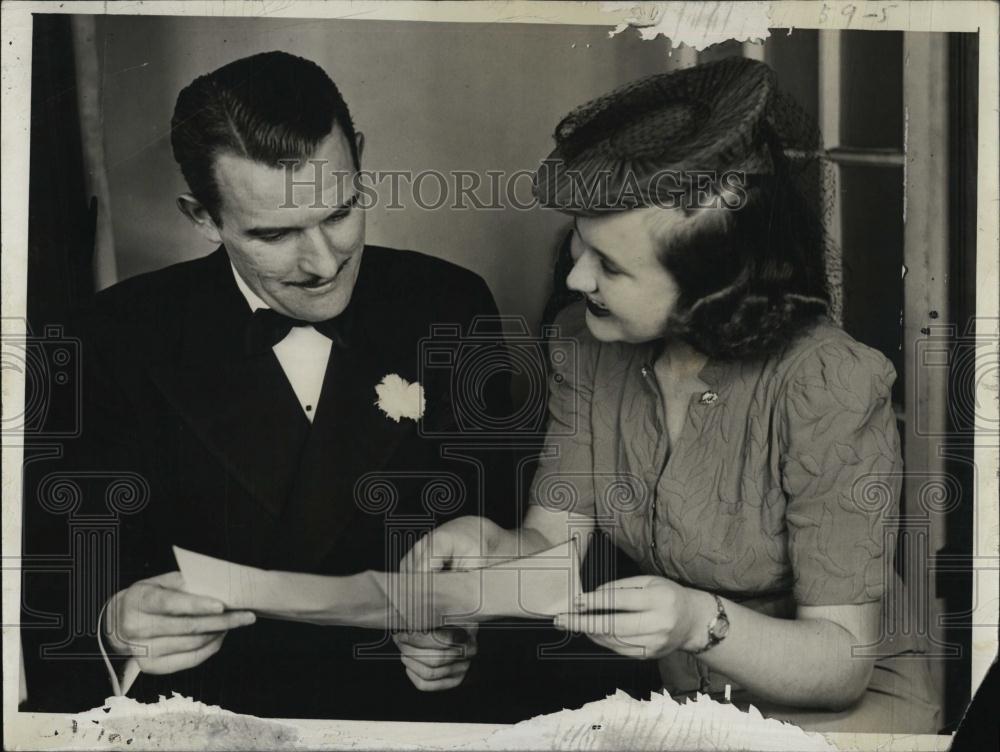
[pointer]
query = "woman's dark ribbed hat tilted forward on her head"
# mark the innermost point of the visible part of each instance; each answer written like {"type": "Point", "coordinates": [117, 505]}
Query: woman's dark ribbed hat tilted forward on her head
{"type": "Point", "coordinates": [711, 117]}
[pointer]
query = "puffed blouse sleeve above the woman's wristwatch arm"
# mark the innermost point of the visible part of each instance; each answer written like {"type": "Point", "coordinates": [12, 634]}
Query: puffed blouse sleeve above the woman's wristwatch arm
{"type": "Point", "coordinates": [841, 472]}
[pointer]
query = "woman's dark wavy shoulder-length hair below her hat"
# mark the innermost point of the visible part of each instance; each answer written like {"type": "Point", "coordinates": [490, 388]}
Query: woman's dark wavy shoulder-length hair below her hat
{"type": "Point", "coordinates": [751, 278]}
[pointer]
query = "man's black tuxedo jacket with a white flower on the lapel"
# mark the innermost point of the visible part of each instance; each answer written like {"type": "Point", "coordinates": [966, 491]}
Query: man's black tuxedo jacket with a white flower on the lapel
{"type": "Point", "coordinates": [188, 440]}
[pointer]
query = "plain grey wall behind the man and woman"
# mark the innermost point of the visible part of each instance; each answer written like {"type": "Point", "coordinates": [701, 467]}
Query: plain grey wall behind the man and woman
{"type": "Point", "coordinates": [426, 96]}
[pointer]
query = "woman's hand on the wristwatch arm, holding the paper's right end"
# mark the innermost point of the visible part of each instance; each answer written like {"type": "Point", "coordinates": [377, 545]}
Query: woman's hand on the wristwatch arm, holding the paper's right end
{"type": "Point", "coordinates": [642, 617]}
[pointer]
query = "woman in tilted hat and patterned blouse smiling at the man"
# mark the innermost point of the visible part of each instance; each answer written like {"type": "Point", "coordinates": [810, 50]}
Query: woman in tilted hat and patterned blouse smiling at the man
{"type": "Point", "coordinates": [740, 447]}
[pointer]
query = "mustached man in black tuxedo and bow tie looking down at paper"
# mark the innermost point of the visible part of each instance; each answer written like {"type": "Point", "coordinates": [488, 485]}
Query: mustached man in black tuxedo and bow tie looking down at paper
{"type": "Point", "coordinates": [237, 393]}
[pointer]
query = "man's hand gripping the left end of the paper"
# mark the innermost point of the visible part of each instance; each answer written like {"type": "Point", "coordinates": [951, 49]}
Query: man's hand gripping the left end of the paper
{"type": "Point", "coordinates": [166, 629]}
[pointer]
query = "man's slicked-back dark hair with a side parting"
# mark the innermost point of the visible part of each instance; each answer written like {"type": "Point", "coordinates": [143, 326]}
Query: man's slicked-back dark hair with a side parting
{"type": "Point", "coordinates": [268, 107]}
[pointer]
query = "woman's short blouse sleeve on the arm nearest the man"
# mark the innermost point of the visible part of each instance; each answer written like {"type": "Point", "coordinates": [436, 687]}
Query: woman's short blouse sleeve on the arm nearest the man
{"type": "Point", "coordinates": [564, 479]}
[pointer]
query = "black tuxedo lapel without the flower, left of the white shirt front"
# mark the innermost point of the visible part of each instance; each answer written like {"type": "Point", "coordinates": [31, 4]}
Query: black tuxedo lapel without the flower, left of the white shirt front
{"type": "Point", "coordinates": [241, 406]}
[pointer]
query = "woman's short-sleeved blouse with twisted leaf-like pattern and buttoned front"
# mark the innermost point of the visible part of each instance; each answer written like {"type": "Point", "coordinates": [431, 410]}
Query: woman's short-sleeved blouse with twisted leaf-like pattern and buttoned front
{"type": "Point", "coordinates": [781, 479]}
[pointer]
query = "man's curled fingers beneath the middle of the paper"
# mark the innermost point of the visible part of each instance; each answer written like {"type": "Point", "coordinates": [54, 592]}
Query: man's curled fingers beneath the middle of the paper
{"type": "Point", "coordinates": [437, 660]}
